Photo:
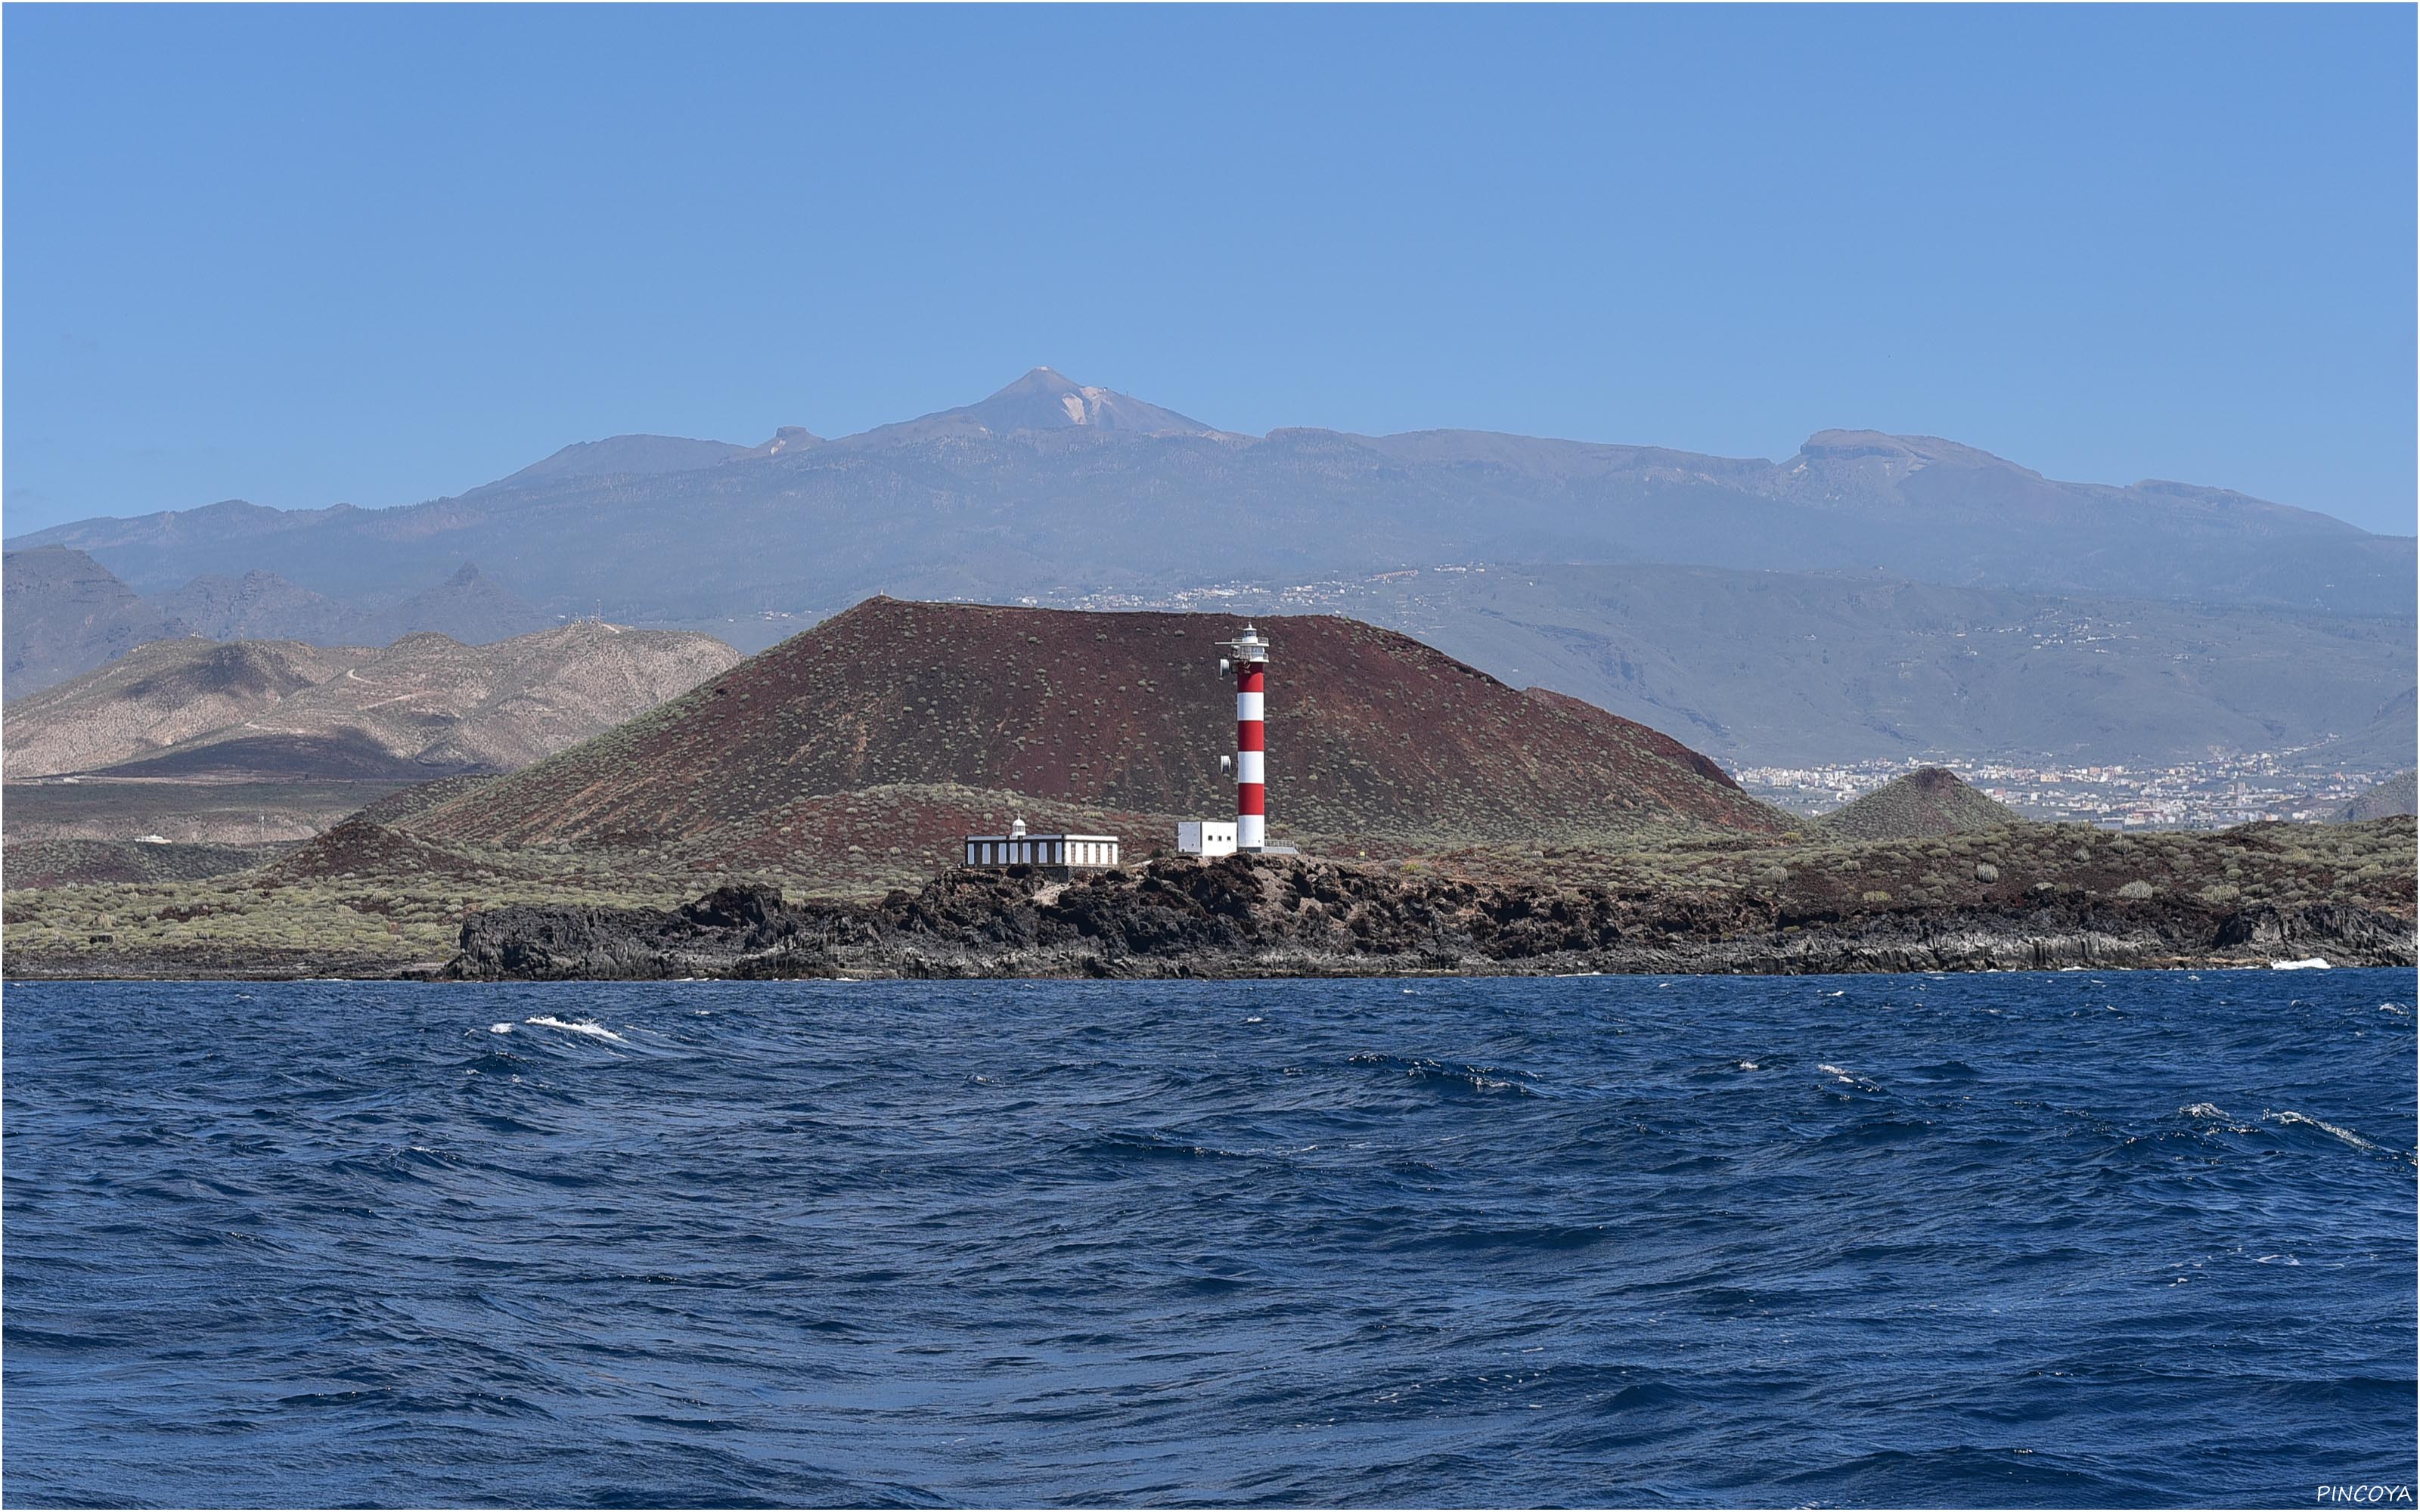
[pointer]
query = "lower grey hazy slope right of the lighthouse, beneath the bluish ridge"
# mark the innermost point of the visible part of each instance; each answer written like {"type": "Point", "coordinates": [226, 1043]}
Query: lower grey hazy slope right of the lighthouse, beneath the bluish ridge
{"type": "Point", "coordinates": [1797, 669]}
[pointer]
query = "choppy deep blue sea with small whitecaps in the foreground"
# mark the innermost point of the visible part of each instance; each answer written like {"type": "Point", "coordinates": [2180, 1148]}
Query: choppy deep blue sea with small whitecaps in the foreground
{"type": "Point", "coordinates": [1993, 1240]}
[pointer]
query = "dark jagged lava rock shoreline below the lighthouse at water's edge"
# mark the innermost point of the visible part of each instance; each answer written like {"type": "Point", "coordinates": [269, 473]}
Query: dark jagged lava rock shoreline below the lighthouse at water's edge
{"type": "Point", "coordinates": [1306, 918]}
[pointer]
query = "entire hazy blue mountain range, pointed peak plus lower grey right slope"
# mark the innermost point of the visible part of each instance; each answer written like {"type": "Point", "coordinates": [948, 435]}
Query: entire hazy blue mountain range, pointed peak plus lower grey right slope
{"type": "Point", "coordinates": [1056, 492]}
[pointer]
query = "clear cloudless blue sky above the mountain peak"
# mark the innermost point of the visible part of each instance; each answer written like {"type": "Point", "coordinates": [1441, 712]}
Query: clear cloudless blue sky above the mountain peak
{"type": "Point", "coordinates": [379, 255]}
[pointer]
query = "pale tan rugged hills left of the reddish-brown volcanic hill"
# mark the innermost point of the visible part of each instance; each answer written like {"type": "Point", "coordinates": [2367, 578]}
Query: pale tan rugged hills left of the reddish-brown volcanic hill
{"type": "Point", "coordinates": [192, 710]}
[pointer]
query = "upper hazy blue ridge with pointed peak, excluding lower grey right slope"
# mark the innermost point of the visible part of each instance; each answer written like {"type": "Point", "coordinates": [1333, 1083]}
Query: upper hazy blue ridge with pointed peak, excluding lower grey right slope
{"type": "Point", "coordinates": [1051, 485]}
